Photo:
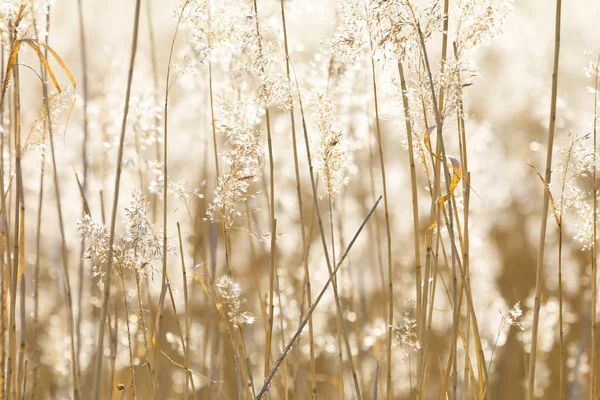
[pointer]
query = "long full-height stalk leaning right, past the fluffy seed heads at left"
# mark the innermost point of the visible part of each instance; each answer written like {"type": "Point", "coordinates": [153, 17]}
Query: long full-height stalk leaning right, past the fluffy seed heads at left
{"type": "Point", "coordinates": [108, 270]}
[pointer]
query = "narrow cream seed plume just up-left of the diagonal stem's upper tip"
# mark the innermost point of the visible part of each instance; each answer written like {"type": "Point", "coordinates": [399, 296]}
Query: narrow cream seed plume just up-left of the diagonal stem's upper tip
{"type": "Point", "coordinates": [332, 147]}
